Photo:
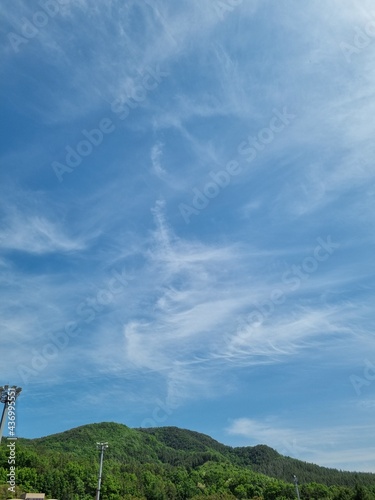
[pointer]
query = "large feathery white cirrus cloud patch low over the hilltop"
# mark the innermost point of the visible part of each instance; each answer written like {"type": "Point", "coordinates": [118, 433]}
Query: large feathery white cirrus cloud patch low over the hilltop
{"type": "Point", "coordinates": [197, 296]}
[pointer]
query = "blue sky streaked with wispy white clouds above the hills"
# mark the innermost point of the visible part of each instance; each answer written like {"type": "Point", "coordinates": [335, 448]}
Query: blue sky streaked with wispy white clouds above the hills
{"type": "Point", "coordinates": [187, 220]}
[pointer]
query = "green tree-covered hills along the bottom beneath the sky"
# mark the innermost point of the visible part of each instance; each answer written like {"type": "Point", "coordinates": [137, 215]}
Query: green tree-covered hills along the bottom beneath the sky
{"type": "Point", "coordinates": [168, 463]}
